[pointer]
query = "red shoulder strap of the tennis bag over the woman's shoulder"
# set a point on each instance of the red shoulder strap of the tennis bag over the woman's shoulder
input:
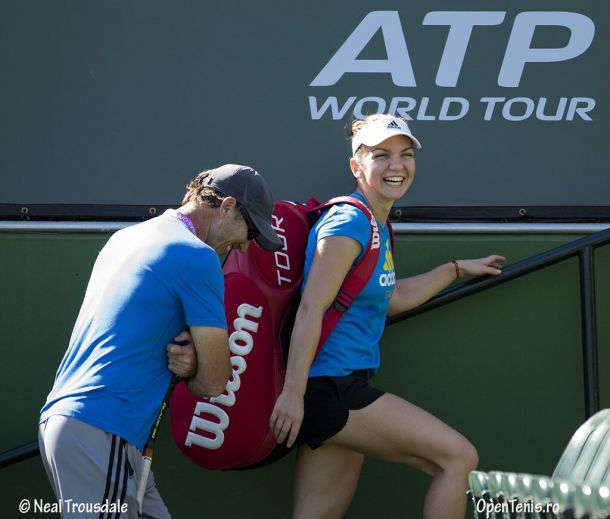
(358, 276)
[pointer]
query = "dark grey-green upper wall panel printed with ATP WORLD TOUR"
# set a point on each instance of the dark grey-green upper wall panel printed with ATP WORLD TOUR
(111, 102)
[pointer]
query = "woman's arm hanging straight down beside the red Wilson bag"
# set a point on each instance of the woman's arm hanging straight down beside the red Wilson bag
(333, 259)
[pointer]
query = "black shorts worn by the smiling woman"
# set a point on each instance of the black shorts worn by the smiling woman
(328, 401)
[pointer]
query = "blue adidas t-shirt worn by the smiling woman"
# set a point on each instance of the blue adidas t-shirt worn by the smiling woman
(354, 342)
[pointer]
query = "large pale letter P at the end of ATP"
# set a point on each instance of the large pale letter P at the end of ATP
(519, 52)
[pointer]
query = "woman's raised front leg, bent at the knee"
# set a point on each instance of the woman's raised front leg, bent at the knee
(395, 430)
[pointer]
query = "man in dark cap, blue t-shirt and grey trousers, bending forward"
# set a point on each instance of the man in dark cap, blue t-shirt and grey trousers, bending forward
(151, 282)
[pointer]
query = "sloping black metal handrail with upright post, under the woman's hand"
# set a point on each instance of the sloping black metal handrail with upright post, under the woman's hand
(582, 247)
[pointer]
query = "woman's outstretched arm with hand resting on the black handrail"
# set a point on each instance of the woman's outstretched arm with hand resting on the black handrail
(413, 291)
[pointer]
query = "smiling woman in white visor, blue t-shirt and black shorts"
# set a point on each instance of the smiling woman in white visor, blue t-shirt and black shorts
(327, 405)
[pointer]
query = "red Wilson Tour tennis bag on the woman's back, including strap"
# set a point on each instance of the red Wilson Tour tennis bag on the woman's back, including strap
(262, 291)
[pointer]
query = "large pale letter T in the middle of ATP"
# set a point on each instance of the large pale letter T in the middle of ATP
(461, 24)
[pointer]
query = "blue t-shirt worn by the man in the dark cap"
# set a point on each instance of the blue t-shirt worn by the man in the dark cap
(150, 282)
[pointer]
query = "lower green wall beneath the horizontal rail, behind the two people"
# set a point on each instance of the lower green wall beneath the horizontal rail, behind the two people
(504, 367)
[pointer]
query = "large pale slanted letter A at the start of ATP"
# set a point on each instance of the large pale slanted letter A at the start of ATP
(345, 59)
